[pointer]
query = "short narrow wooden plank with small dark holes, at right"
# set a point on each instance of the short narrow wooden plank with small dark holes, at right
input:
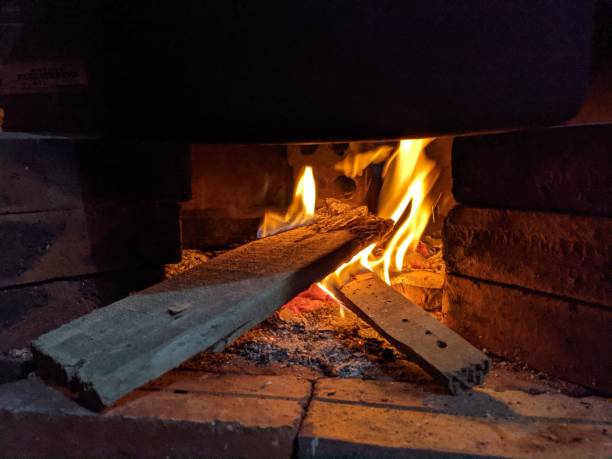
(440, 351)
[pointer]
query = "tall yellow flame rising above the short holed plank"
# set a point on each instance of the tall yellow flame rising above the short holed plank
(408, 176)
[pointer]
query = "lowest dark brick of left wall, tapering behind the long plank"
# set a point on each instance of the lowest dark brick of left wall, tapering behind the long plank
(28, 311)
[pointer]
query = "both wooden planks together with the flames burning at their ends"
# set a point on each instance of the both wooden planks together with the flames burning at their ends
(112, 351)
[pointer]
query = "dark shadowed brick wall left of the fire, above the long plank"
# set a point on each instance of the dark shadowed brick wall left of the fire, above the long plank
(83, 222)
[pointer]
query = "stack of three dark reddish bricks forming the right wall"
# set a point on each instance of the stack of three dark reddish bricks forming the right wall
(529, 250)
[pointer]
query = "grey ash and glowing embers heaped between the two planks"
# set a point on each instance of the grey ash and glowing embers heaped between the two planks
(325, 342)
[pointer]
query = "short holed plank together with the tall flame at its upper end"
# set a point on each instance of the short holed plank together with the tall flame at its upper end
(409, 176)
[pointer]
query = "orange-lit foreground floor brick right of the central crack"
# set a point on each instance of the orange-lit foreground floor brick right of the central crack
(383, 419)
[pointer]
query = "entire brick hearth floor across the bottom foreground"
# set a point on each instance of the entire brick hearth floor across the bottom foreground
(227, 414)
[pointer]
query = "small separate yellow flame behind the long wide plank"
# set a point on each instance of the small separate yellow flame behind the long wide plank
(300, 212)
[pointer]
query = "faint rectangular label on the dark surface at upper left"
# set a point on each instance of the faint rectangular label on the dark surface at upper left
(41, 77)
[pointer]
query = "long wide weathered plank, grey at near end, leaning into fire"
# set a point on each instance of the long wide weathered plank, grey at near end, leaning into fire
(114, 350)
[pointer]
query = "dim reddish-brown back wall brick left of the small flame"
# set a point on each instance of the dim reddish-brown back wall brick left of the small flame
(233, 185)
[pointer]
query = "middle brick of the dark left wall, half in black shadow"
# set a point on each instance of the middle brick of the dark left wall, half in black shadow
(48, 245)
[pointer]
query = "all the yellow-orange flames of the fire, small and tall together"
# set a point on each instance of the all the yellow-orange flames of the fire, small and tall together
(408, 176)
